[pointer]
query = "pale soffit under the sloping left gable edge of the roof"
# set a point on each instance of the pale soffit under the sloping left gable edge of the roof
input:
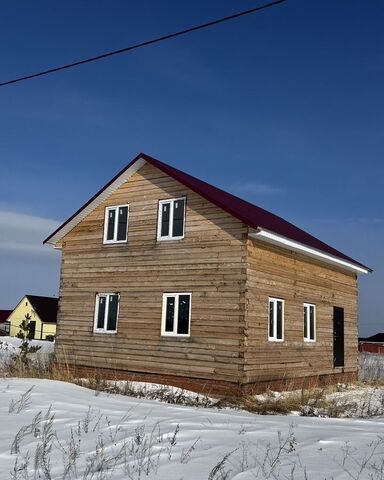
(103, 195)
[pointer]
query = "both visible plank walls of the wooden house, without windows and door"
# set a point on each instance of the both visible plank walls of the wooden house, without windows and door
(231, 278)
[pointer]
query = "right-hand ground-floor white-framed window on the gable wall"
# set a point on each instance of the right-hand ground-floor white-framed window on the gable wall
(176, 315)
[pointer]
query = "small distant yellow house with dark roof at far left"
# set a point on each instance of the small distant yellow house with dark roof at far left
(43, 312)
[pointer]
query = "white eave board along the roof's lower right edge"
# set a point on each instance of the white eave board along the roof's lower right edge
(279, 240)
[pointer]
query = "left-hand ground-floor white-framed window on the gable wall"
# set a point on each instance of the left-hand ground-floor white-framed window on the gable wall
(106, 312)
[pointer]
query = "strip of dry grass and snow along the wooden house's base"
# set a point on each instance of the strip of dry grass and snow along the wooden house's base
(313, 399)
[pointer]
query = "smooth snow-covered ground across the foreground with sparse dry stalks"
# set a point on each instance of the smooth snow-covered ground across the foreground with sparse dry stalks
(90, 435)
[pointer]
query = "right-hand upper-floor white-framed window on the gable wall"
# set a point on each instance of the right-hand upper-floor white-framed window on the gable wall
(171, 219)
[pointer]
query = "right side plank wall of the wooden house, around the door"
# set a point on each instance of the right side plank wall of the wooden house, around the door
(275, 272)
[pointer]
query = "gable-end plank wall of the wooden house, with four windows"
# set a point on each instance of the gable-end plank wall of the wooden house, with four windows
(210, 262)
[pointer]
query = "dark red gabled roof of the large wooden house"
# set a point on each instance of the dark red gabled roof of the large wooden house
(251, 215)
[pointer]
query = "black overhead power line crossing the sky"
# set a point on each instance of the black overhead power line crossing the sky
(145, 43)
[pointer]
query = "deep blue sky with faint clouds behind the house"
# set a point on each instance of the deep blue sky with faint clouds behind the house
(283, 108)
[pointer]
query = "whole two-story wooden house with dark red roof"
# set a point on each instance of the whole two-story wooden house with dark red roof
(169, 279)
